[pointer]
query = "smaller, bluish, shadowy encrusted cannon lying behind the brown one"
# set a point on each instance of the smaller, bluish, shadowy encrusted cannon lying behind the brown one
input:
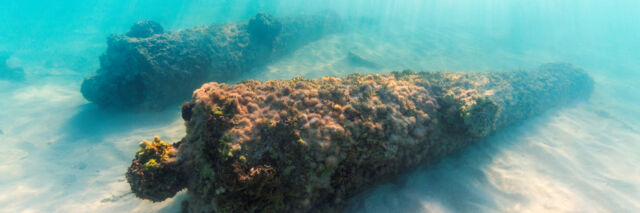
(148, 68)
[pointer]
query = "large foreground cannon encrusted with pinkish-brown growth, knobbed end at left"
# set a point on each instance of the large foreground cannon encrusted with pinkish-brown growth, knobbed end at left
(307, 145)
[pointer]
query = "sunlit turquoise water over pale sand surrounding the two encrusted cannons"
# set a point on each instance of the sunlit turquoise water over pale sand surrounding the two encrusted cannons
(63, 154)
